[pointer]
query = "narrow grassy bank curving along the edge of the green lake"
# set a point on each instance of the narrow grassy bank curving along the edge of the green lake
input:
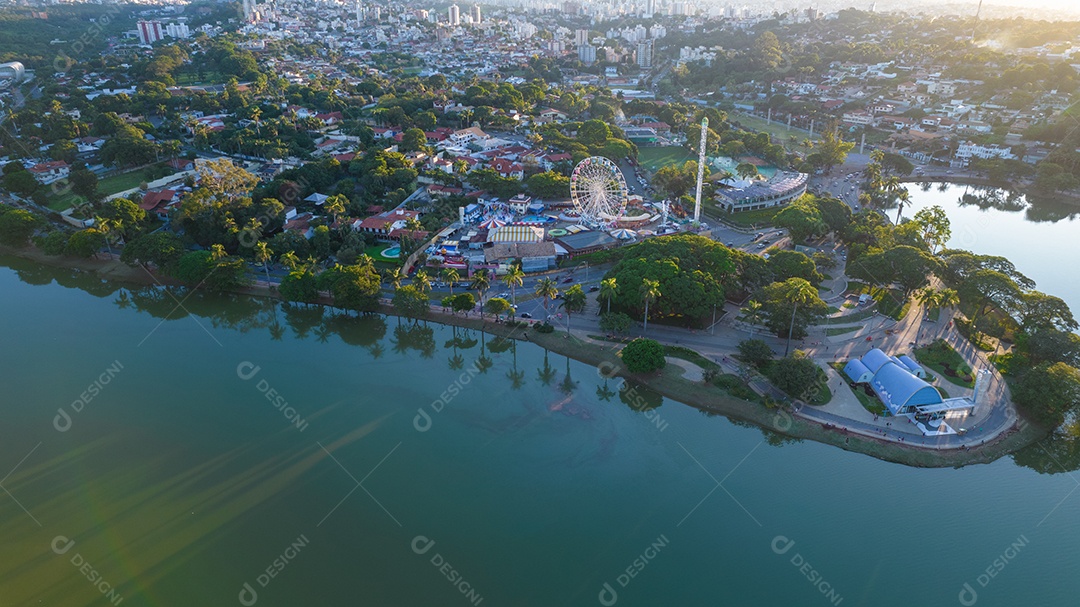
(669, 383)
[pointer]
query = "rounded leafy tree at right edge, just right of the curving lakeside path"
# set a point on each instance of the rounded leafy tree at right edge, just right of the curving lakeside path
(1049, 394)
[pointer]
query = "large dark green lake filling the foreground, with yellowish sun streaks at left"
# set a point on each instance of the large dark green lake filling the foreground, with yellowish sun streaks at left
(222, 451)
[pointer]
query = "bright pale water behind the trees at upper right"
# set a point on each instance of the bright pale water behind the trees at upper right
(1038, 238)
